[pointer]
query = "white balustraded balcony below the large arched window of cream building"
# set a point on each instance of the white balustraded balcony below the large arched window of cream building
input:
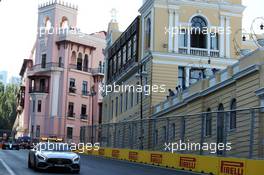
(199, 52)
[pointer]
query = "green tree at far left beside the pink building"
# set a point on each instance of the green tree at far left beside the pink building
(8, 113)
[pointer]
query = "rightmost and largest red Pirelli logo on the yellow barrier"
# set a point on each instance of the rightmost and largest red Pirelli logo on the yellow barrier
(232, 168)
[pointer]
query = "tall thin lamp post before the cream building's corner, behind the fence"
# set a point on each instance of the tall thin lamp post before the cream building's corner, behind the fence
(141, 74)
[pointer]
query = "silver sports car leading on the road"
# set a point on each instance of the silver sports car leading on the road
(53, 155)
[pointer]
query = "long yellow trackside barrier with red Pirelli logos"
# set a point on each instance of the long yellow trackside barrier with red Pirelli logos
(187, 162)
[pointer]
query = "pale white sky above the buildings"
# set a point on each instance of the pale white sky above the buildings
(18, 23)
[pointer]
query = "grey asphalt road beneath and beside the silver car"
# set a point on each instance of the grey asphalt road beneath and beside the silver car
(15, 163)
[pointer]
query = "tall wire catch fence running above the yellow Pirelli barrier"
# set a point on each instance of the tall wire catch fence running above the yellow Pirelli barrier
(236, 133)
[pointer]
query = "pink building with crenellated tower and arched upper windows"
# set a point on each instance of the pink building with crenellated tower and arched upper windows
(61, 87)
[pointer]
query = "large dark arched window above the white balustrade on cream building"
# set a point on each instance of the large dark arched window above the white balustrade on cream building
(198, 38)
